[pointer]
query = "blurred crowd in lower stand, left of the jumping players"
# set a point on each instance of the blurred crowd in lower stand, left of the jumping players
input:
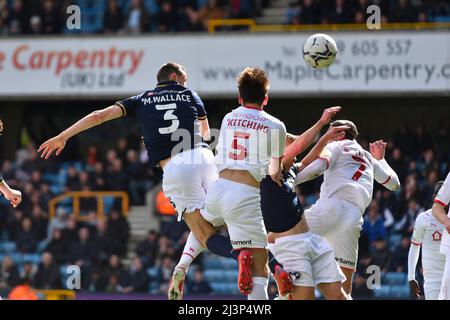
(96, 245)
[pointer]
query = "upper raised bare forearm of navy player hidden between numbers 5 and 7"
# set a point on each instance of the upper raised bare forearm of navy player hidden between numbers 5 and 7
(303, 141)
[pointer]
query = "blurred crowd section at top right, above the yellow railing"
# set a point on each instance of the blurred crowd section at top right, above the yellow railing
(354, 11)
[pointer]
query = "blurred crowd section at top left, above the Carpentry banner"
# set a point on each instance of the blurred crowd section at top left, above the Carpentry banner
(128, 16)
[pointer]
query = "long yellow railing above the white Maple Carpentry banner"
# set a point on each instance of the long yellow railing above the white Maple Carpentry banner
(253, 27)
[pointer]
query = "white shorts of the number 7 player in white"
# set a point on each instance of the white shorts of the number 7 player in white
(340, 223)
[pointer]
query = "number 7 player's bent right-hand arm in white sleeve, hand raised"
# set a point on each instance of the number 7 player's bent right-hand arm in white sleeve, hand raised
(383, 173)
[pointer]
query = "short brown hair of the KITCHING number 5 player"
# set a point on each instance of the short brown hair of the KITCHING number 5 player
(253, 85)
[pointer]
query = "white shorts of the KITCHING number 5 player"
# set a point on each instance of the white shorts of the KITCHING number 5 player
(239, 207)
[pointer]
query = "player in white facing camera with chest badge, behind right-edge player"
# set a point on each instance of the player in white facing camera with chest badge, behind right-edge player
(427, 233)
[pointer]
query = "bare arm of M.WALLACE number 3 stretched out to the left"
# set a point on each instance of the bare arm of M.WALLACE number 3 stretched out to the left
(93, 119)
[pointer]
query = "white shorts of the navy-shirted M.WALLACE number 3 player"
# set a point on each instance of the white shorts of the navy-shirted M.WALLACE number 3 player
(186, 178)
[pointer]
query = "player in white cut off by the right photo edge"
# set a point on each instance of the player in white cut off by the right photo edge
(440, 203)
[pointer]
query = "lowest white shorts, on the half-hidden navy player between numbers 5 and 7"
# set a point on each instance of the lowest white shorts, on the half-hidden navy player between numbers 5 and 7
(308, 258)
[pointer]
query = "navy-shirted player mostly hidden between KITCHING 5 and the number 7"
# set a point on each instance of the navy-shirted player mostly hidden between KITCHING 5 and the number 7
(307, 257)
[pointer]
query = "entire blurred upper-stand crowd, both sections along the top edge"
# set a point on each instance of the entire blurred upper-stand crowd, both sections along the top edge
(141, 16)
